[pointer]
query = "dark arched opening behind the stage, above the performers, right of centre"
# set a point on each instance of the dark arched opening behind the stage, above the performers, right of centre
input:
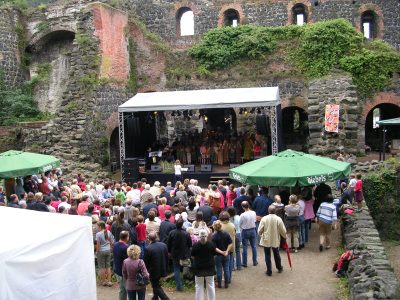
(220, 119)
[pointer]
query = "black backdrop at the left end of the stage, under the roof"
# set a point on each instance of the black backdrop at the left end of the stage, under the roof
(140, 134)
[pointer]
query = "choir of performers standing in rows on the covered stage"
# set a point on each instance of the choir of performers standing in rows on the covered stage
(211, 147)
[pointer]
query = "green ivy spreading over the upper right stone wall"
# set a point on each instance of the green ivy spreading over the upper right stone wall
(315, 50)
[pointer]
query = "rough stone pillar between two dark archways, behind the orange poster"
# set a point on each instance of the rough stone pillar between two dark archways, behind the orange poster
(333, 90)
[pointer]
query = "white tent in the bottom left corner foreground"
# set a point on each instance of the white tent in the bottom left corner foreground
(46, 256)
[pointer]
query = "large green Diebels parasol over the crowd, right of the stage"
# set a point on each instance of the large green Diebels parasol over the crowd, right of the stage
(290, 168)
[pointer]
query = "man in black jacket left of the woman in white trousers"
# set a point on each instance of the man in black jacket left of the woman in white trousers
(179, 244)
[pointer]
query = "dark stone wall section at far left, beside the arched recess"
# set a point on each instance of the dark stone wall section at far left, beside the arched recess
(10, 24)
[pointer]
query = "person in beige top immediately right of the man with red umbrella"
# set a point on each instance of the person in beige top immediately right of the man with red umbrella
(292, 212)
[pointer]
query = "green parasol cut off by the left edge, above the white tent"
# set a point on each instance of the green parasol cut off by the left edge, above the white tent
(17, 163)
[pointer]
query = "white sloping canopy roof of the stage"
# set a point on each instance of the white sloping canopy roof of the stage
(201, 99)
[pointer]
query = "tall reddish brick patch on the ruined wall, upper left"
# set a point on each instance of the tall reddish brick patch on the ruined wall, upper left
(110, 27)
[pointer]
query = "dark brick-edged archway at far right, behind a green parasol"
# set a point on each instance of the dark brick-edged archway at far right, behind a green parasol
(383, 111)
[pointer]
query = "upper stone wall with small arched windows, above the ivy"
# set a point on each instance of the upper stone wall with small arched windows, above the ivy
(160, 16)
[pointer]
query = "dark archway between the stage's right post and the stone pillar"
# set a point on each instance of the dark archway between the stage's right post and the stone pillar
(295, 128)
